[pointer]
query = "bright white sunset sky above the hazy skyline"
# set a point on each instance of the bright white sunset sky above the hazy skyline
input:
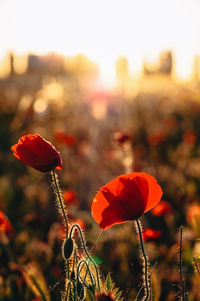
(103, 30)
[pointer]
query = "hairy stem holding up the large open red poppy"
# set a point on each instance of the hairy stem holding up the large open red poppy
(145, 262)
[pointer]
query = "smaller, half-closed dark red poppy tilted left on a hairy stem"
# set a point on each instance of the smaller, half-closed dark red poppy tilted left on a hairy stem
(38, 153)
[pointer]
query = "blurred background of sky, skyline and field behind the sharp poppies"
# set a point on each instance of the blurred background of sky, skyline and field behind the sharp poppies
(115, 86)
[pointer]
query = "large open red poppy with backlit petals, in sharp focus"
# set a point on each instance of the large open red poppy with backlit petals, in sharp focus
(125, 198)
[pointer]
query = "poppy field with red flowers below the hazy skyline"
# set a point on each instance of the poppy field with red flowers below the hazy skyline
(99, 189)
